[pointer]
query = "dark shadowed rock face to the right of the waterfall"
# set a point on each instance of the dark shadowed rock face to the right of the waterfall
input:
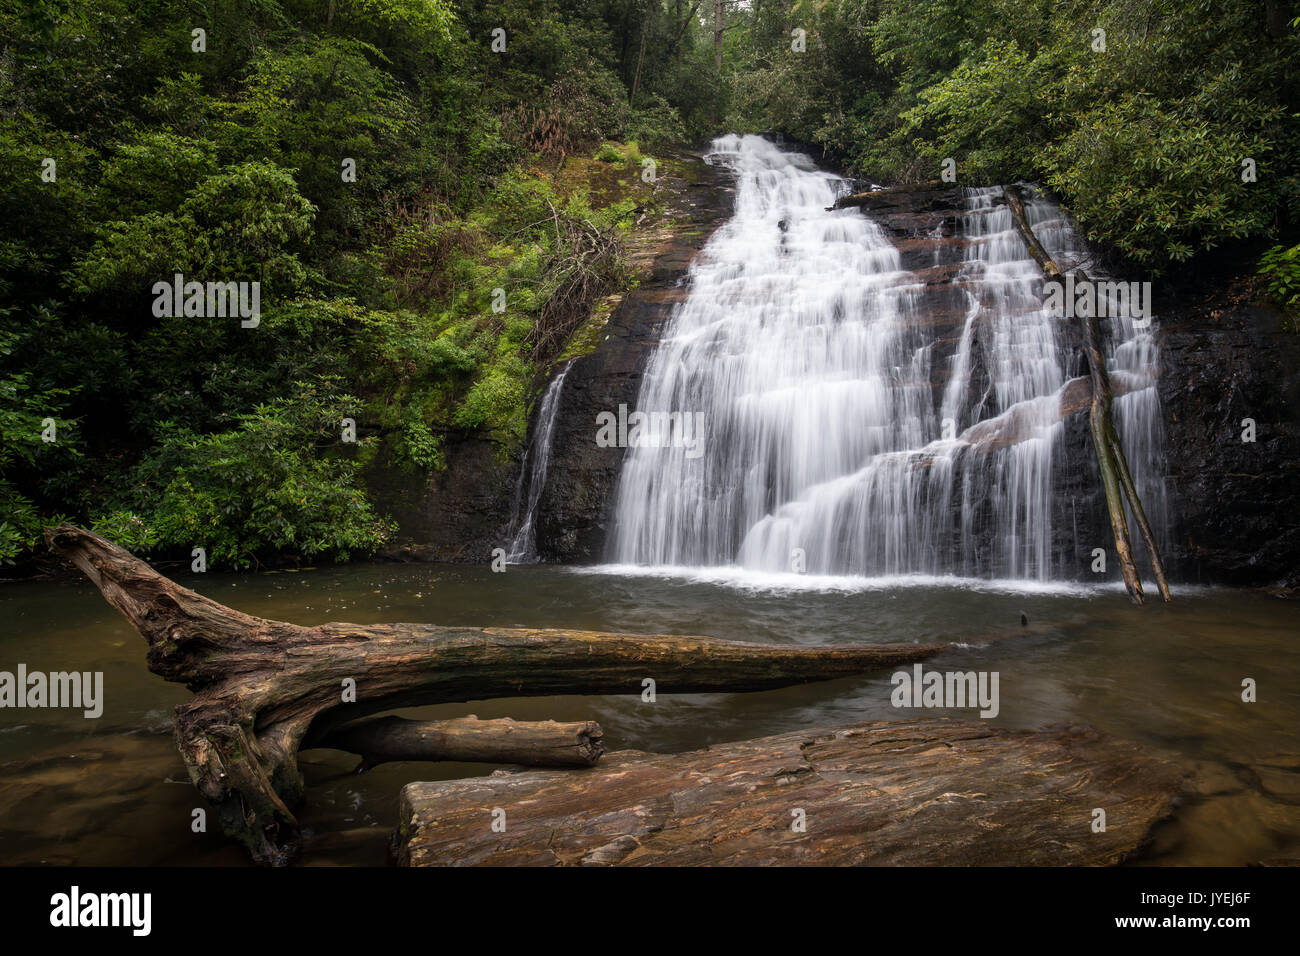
(1237, 504)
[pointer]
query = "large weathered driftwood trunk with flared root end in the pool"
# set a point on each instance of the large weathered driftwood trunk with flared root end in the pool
(266, 689)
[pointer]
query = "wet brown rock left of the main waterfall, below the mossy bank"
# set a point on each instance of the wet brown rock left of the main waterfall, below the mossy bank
(462, 513)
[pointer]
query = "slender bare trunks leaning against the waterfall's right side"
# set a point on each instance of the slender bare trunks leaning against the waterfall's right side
(1116, 478)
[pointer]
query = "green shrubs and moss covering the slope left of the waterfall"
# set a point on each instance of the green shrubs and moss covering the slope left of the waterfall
(389, 180)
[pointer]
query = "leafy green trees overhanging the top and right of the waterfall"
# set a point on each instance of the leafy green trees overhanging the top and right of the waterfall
(1138, 115)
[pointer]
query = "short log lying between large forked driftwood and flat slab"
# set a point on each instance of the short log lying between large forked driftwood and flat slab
(530, 743)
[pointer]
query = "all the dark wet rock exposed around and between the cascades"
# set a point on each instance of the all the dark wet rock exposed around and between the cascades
(1233, 507)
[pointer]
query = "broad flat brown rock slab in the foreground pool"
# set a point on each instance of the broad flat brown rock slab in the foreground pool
(933, 791)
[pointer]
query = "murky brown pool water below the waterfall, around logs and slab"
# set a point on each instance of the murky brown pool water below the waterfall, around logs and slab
(114, 790)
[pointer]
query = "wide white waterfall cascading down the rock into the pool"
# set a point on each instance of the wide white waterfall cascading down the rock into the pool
(844, 430)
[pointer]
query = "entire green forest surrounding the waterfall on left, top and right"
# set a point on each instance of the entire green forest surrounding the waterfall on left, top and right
(398, 178)
